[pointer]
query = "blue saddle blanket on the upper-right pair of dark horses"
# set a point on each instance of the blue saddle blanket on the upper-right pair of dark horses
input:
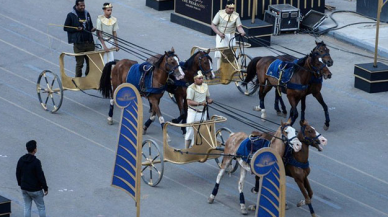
(274, 71)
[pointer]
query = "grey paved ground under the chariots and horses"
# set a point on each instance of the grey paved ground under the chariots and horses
(77, 147)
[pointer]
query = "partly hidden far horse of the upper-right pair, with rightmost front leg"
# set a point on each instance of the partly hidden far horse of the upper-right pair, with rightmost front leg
(315, 86)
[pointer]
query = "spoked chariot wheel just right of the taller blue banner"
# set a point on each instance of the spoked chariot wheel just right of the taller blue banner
(152, 163)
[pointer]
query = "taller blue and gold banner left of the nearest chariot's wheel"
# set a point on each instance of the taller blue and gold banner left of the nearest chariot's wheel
(126, 173)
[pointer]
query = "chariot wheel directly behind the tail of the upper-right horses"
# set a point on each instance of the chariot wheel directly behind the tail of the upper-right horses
(251, 87)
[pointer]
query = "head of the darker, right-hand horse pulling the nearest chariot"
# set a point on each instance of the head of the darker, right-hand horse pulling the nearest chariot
(312, 137)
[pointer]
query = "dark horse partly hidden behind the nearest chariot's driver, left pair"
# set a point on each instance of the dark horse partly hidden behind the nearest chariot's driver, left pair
(199, 61)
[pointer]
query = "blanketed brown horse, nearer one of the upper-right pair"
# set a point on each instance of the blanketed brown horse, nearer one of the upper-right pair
(298, 83)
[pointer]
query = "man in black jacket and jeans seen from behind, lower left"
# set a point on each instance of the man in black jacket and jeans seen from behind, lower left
(31, 180)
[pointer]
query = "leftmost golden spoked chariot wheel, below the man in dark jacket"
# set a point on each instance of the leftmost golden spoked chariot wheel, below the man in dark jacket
(50, 91)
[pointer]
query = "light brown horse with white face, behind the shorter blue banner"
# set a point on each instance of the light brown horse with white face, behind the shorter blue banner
(284, 136)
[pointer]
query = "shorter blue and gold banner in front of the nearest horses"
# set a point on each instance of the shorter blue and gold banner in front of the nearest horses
(271, 200)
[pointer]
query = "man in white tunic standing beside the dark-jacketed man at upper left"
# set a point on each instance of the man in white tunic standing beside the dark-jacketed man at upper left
(107, 36)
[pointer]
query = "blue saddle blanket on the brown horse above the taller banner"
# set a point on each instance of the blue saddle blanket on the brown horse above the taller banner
(135, 74)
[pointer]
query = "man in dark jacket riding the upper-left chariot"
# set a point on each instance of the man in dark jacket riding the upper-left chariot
(79, 28)
